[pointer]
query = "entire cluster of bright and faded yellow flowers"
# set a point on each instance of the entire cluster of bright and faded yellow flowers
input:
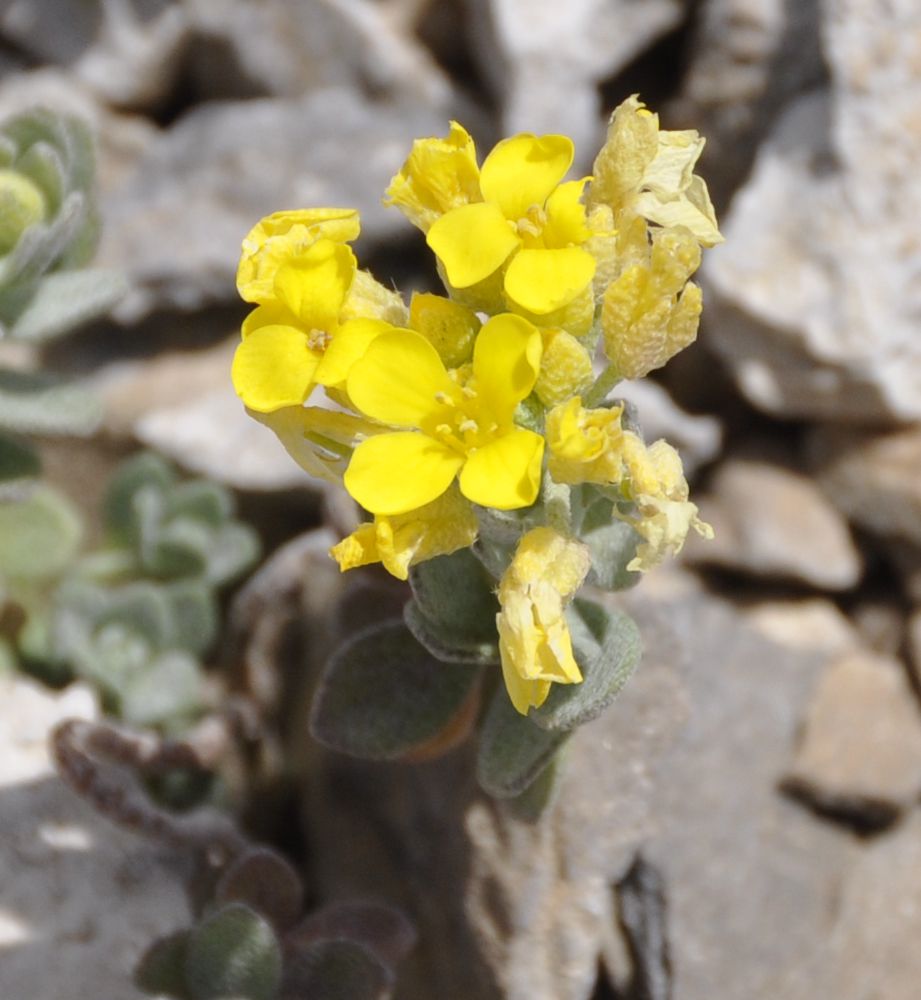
(439, 416)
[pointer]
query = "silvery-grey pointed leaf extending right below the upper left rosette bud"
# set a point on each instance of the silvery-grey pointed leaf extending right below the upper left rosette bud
(65, 300)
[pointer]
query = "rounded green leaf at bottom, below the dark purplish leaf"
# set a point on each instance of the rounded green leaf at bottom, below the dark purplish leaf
(233, 953)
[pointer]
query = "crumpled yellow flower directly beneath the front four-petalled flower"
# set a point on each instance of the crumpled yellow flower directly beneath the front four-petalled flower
(402, 540)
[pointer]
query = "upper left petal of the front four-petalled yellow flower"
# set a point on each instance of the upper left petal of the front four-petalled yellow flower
(397, 379)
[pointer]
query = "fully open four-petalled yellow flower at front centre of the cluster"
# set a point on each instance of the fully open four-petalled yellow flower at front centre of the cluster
(450, 428)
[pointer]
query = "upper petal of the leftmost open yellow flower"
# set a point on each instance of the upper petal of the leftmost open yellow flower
(314, 285)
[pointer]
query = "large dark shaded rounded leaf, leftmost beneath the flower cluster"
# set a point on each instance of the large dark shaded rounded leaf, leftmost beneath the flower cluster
(382, 694)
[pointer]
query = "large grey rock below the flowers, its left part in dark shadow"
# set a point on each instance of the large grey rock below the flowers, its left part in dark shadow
(683, 767)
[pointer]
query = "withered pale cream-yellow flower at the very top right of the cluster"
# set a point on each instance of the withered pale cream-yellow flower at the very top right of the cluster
(643, 171)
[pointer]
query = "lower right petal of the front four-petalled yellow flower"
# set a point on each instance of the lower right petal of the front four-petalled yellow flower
(505, 473)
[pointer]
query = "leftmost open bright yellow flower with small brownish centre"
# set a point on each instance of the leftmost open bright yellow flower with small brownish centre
(298, 339)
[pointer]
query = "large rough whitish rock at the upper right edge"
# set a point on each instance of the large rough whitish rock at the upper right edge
(816, 301)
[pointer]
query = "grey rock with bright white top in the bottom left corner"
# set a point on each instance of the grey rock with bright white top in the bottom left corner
(81, 899)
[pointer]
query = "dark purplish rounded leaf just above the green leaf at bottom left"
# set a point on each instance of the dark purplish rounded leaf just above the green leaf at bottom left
(266, 882)
